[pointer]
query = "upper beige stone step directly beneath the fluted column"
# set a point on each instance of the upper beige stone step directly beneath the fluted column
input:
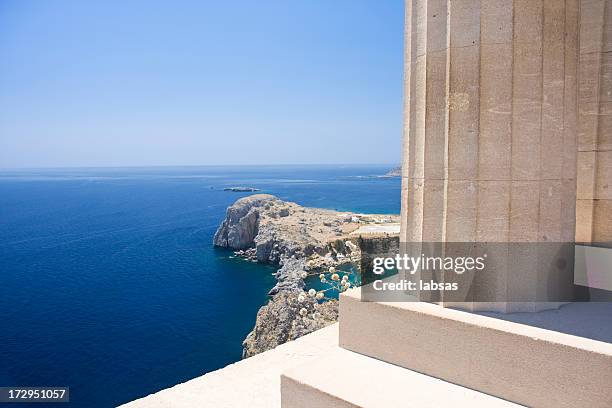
(528, 365)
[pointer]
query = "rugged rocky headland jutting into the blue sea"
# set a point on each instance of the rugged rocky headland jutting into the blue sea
(302, 241)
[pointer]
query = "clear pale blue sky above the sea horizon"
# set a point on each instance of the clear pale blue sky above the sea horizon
(114, 83)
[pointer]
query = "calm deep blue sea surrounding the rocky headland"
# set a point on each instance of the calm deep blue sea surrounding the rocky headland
(110, 284)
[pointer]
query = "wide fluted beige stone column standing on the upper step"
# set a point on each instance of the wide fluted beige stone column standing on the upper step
(490, 133)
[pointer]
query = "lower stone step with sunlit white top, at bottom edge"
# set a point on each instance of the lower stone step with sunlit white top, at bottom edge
(342, 379)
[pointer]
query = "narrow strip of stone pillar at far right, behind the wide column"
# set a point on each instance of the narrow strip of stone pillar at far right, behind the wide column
(594, 204)
